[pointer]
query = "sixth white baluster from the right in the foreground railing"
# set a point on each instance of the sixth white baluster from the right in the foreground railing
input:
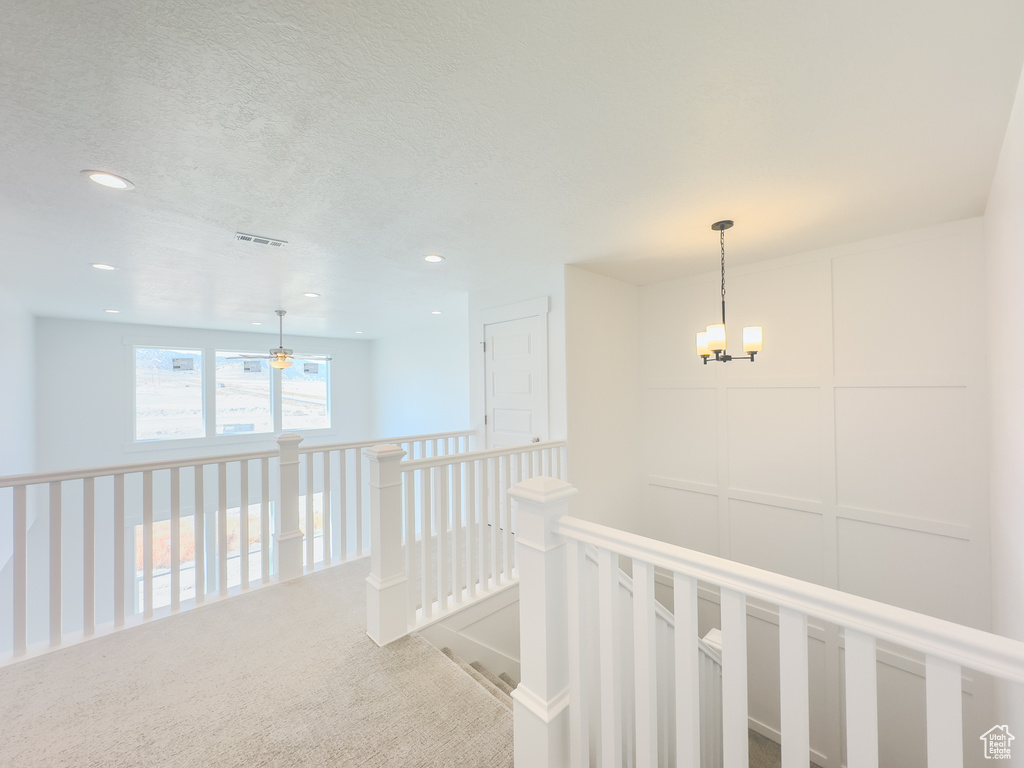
(646, 664)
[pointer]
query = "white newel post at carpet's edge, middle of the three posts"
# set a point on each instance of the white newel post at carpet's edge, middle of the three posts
(388, 617)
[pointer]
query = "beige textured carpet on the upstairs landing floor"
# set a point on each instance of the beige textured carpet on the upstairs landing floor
(284, 676)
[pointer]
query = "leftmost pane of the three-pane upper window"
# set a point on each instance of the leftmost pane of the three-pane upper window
(168, 395)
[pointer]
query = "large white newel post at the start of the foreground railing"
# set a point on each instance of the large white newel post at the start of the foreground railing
(541, 709)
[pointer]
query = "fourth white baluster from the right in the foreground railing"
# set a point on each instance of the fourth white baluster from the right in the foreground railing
(735, 718)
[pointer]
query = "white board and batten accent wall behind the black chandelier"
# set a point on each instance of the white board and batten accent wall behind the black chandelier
(852, 454)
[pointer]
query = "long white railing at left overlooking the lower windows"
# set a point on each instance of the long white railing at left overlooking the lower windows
(95, 550)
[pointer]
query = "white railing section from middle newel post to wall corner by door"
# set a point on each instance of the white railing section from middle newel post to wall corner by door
(447, 536)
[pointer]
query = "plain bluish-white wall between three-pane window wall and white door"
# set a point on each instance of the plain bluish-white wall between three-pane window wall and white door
(420, 379)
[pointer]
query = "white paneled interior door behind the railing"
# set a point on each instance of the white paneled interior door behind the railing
(516, 368)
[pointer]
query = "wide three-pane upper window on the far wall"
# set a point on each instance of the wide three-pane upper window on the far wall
(183, 394)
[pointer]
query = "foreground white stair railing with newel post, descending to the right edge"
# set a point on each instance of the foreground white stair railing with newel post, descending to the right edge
(553, 699)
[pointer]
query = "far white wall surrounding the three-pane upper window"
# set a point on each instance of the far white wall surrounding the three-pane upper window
(84, 391)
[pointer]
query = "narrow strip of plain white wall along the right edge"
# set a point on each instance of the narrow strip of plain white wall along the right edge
(1005, 253)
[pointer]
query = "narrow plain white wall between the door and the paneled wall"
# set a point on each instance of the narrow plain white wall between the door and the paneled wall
(603, 365)
